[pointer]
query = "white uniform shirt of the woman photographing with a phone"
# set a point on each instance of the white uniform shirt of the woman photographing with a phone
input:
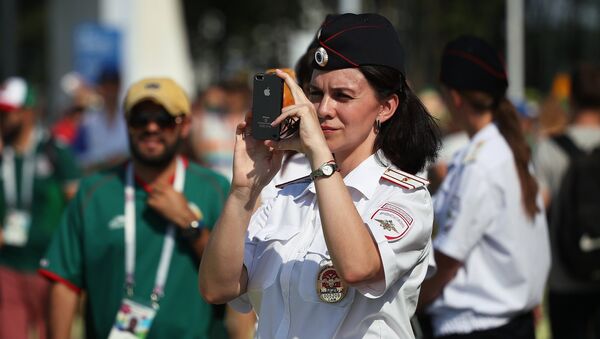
(285, 248)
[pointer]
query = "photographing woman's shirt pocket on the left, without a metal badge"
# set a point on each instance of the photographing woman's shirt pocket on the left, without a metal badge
(268, 259)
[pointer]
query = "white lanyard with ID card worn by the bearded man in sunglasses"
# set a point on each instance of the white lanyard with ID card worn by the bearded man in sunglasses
(135, 318)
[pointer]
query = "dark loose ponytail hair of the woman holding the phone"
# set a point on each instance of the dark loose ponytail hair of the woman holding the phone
(411, 137)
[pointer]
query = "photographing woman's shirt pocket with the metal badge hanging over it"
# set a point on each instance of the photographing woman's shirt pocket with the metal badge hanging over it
(316, 257)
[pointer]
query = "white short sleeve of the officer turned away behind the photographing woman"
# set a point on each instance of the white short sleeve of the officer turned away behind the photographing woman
(474, 207)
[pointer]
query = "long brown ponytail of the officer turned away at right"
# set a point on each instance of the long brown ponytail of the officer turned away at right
(507, 120)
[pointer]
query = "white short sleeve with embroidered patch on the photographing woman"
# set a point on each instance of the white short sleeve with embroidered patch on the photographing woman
(401, 228)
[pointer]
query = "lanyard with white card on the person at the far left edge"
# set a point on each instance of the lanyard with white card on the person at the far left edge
(17, 218)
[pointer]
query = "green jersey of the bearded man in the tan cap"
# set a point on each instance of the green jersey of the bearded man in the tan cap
(87, 253)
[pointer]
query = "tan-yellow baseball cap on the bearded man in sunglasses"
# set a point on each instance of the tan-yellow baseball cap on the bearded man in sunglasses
(163, 91)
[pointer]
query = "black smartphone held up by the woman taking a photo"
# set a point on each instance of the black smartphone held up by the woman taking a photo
(267, 101)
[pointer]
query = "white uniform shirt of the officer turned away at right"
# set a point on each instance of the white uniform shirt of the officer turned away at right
(483, 224)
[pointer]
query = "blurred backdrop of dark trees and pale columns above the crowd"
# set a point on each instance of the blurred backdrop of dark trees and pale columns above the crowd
(203, 42)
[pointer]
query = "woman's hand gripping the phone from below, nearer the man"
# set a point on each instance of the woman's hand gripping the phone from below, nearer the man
(254, 162)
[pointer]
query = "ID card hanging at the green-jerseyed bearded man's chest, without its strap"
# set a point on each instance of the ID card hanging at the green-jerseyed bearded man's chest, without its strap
(133, 321)
